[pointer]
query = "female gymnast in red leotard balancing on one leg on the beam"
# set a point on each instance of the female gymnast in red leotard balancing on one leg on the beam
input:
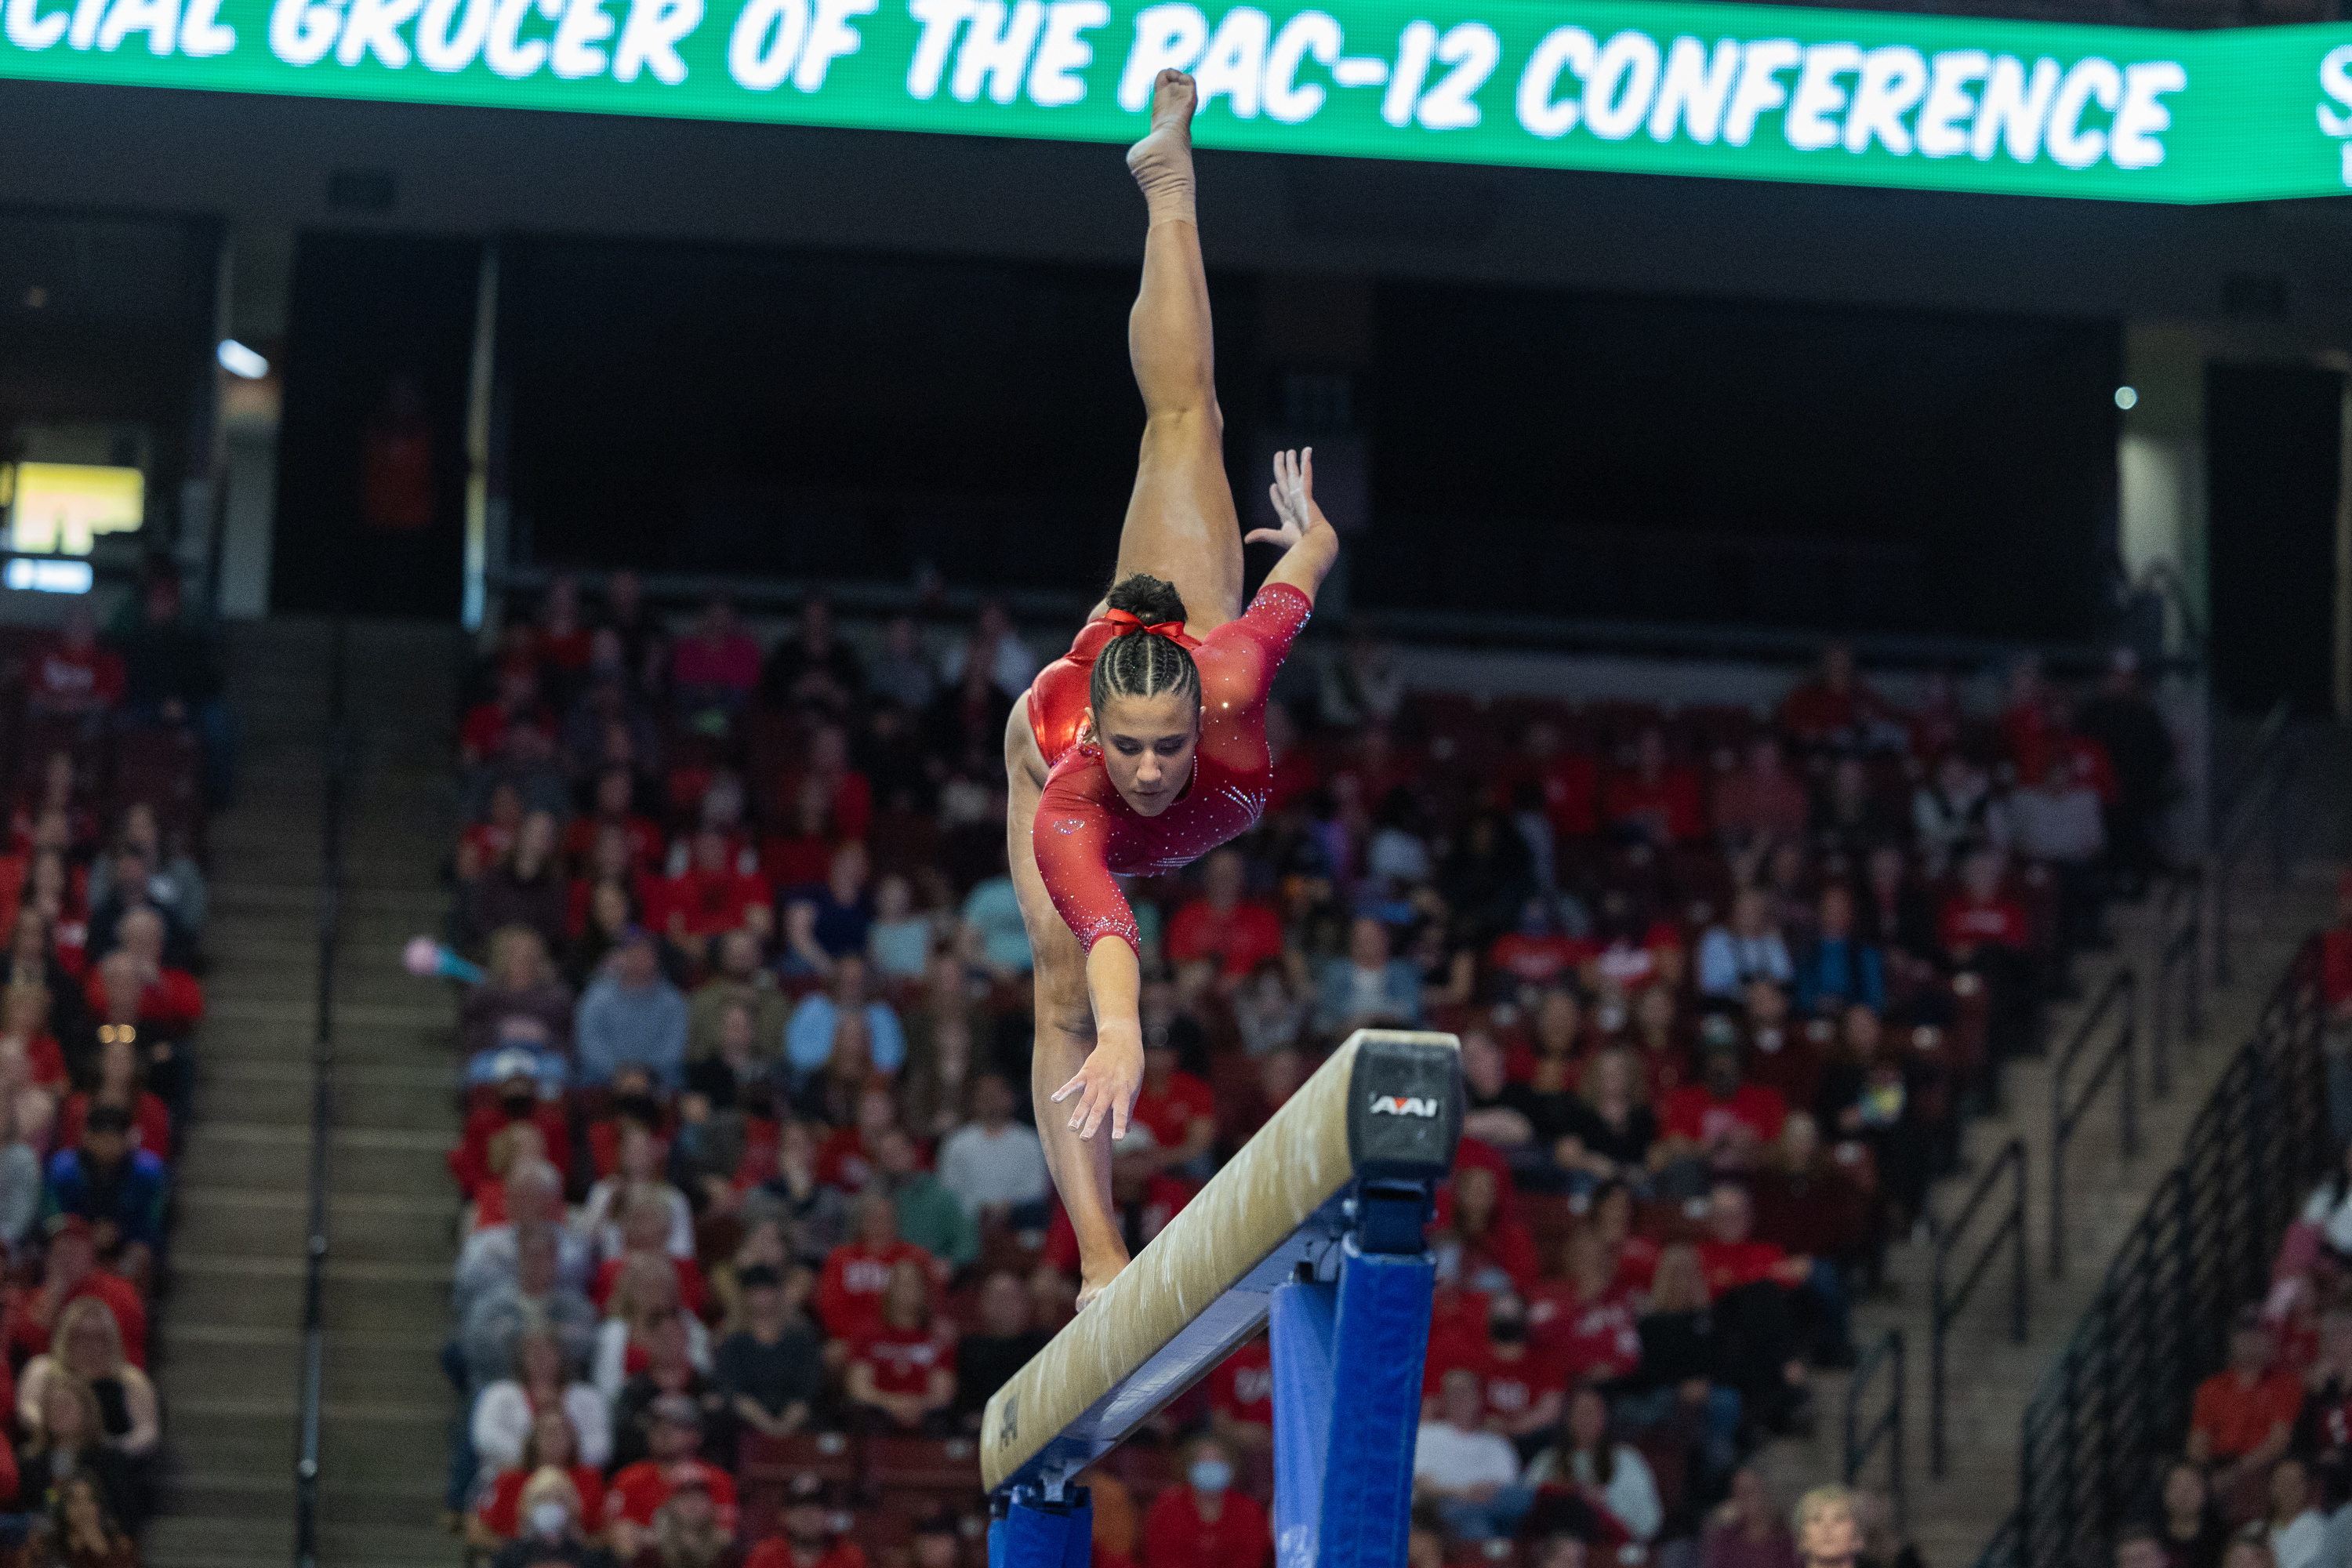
(1144, 746)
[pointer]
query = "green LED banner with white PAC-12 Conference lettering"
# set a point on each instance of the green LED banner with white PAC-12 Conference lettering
(1626, 86)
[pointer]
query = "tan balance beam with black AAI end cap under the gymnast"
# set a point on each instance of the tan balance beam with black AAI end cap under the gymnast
(1347, 1167)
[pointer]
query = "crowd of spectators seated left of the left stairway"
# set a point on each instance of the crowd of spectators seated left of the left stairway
(121, 746)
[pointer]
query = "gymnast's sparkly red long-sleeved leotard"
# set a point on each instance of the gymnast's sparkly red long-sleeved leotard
(1085, 833)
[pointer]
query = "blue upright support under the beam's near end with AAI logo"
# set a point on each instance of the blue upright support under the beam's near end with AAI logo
(1347, 1409)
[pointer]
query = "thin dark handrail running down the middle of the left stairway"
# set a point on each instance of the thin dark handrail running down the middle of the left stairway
(330, 930)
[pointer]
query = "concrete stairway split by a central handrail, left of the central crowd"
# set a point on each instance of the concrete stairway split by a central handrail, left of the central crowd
(232, 1327)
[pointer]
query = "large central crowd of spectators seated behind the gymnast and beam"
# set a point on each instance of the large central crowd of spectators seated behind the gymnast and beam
(756, 1217)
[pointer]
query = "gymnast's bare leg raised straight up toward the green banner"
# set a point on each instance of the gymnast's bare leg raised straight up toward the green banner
(1180, 523)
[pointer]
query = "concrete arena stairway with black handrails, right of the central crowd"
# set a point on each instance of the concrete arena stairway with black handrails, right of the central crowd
(1989, 1376)
